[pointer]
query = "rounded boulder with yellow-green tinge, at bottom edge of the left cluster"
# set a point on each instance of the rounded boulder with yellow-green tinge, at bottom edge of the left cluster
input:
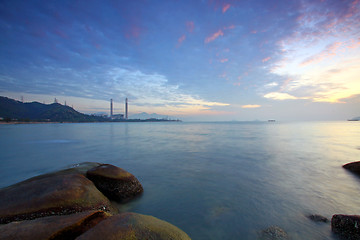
(134, 226)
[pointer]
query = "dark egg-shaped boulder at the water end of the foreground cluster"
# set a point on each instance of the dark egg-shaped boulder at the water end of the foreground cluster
(115, 182)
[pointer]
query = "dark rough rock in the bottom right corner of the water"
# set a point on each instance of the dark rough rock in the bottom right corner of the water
(347, 226)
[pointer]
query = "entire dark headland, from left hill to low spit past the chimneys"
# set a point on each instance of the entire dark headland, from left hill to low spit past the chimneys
(12, 111)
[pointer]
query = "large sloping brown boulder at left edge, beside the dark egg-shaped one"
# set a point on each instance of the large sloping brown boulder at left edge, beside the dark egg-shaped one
(50, 194)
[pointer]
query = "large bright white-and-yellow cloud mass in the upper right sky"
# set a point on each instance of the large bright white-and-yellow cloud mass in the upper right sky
(320, 60)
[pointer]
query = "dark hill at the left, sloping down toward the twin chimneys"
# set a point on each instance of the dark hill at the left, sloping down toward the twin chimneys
(11, 109)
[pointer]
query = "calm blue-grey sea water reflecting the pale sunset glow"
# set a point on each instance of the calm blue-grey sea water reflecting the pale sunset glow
(213, 180)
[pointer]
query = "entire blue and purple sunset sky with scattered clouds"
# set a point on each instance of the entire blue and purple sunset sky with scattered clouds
(197, 60)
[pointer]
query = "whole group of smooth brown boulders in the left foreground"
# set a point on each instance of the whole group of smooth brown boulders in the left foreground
(75, 204)
